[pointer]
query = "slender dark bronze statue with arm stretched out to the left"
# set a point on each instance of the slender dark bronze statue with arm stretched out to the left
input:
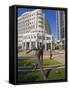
(39, 59)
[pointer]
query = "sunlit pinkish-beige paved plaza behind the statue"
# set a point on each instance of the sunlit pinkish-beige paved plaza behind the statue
(56, 55)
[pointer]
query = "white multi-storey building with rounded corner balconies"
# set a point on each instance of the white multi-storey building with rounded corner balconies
(32, 30)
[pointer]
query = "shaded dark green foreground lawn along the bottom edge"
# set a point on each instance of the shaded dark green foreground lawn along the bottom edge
(56, 74)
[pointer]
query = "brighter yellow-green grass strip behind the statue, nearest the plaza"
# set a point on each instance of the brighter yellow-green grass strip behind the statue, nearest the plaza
(32, 62)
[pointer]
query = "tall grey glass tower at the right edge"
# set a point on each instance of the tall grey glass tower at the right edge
(61, 27)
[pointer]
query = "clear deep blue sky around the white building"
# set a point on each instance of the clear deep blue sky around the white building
(51, 14)
